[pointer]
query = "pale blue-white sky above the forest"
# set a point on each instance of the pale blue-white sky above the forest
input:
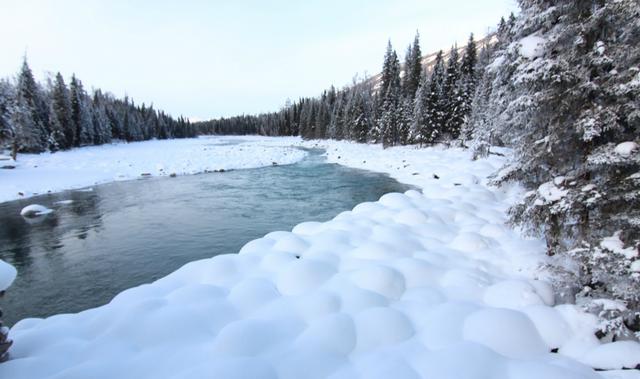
(209, 59)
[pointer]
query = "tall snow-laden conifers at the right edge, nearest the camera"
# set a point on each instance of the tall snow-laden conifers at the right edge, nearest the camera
(565, 93)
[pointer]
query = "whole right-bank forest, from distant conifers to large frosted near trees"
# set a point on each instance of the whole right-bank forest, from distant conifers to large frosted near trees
(559, 84)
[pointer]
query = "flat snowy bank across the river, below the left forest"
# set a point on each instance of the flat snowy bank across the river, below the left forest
(86, 166)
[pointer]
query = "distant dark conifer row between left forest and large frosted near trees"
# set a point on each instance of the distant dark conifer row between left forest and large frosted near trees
(406, 104)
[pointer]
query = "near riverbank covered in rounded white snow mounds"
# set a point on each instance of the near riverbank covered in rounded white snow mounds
(422, 284)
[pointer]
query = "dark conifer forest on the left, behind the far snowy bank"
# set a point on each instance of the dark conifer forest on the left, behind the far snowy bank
(56, 116)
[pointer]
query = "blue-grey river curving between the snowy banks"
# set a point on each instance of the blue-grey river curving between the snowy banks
(123, 234)
